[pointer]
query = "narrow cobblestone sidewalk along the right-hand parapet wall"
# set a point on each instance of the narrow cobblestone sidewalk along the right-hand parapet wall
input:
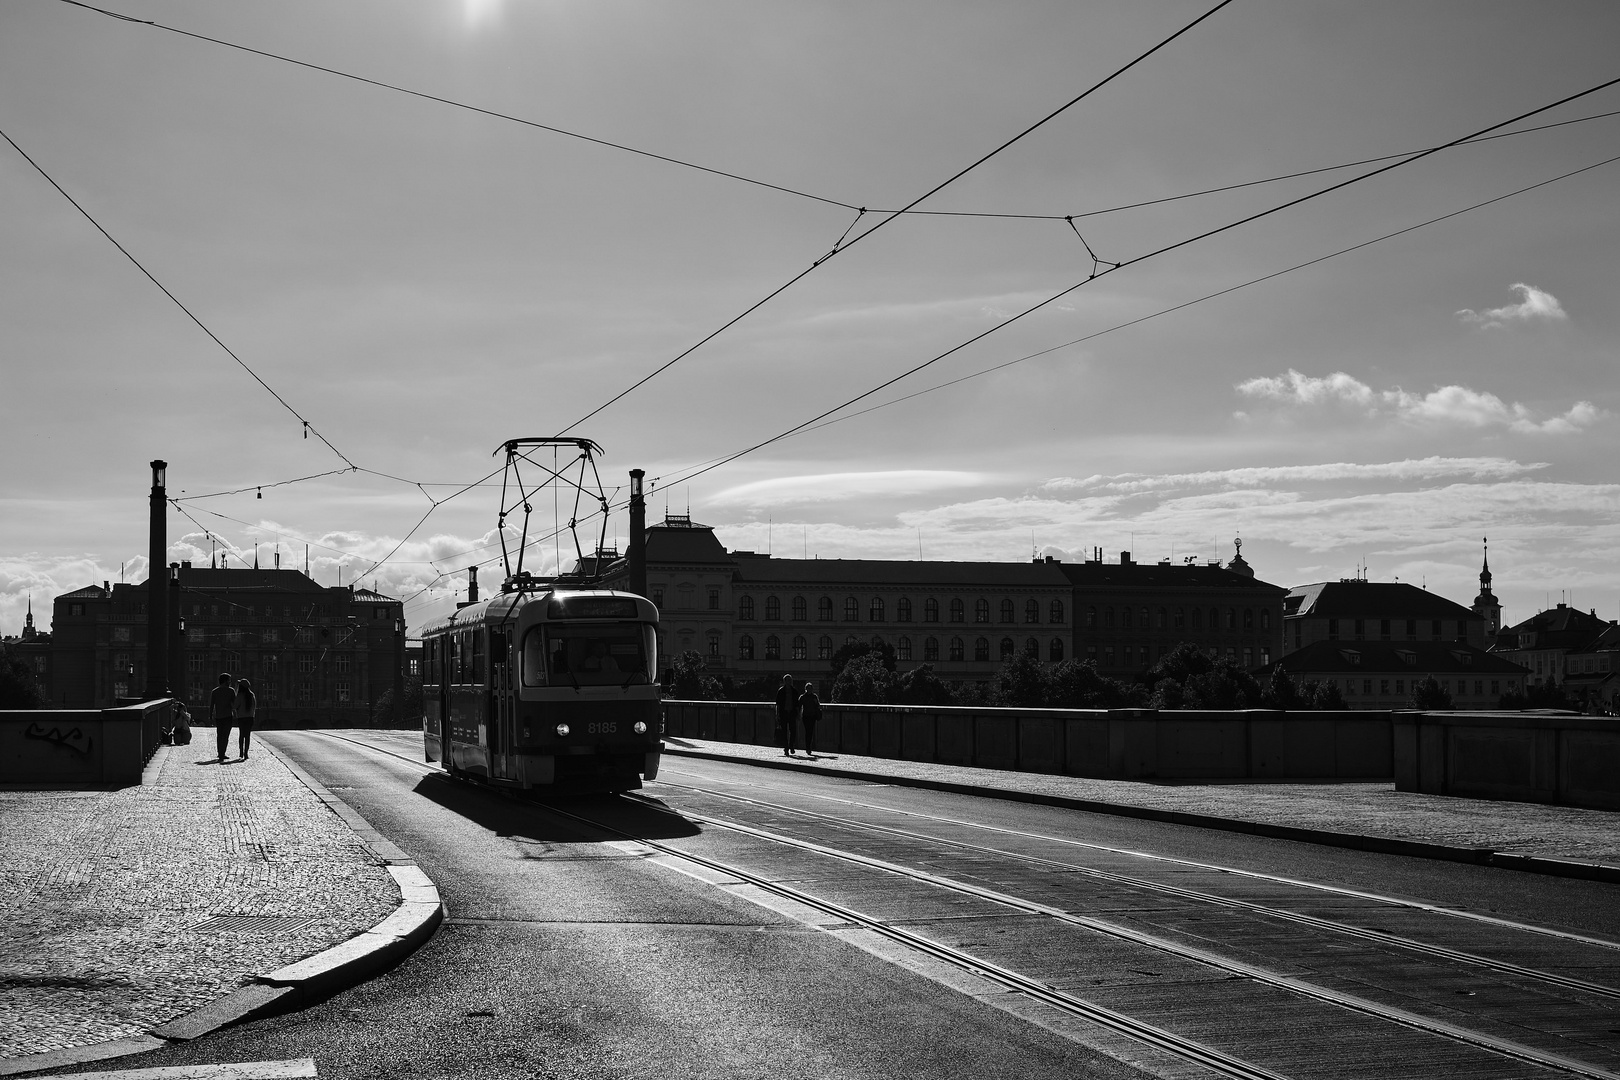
(1588, 836)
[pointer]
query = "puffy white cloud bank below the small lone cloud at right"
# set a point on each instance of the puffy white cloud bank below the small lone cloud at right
(1446, 406)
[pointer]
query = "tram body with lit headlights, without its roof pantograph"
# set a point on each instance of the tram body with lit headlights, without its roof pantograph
(545, 687)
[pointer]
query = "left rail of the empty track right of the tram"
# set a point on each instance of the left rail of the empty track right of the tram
(1379, 937)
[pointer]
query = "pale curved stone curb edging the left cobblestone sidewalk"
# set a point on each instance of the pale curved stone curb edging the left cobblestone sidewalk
(297, 985)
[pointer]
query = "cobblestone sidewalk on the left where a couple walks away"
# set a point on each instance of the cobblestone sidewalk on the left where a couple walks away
(106, 898)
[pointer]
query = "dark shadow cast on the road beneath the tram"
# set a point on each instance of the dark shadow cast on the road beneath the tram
(556, 819)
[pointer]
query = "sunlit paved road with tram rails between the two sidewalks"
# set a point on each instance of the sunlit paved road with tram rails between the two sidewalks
(573, 953)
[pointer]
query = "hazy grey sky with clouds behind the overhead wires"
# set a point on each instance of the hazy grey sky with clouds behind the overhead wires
(424, 283)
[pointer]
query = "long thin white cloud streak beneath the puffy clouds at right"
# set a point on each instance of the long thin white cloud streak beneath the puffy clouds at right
(1255, 477)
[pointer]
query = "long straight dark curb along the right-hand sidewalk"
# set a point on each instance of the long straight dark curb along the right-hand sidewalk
(1357, 841)
